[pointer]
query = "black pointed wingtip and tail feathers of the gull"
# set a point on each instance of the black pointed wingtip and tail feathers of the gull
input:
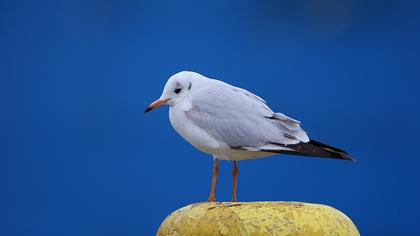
(315, 149)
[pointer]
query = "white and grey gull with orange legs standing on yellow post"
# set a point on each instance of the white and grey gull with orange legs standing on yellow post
(231, 123)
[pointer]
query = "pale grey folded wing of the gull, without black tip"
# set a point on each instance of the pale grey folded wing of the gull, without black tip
(243, 120)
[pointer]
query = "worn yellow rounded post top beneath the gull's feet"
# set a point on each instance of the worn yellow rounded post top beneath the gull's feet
(257, 218)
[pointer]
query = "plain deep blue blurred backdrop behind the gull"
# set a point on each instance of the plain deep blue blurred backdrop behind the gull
(79, 157)
